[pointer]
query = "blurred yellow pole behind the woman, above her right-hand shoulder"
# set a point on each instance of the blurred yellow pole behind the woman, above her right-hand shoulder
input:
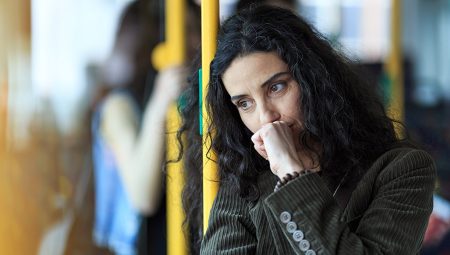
(394, 65)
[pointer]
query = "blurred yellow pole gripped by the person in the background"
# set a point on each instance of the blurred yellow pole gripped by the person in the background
(172, 52)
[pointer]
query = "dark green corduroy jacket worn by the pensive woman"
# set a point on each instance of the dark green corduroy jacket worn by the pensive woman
(385, 213)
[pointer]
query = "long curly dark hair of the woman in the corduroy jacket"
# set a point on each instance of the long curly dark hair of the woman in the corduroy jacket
(342, 111)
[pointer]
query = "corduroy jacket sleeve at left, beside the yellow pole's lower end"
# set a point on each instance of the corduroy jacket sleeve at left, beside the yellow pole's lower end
(230, 230)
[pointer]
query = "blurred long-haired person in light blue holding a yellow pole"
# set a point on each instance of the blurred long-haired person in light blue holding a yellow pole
(128, 132)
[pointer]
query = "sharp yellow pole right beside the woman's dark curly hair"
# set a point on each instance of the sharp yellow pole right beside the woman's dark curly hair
(210, 25)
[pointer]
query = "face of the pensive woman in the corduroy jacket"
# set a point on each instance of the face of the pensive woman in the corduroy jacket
(263, 90)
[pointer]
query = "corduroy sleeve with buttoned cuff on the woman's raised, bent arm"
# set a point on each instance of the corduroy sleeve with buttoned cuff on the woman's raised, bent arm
(399, 202)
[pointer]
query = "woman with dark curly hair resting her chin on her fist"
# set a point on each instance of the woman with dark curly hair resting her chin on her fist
(309, 162)
